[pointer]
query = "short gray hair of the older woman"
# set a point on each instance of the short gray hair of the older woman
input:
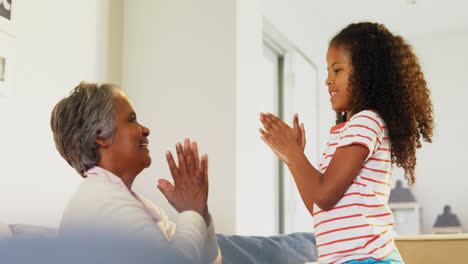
(78, 120)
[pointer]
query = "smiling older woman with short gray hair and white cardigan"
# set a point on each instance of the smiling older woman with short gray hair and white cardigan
(96, 131)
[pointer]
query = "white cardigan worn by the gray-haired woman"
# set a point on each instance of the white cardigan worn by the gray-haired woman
(99, 206)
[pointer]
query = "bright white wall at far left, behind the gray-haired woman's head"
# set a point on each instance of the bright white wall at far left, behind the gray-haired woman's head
(57, 44)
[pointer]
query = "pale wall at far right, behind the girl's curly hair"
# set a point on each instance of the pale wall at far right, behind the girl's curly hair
(441, 176)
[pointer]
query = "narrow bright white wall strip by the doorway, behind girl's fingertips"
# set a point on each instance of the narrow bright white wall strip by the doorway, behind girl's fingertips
(255, 180)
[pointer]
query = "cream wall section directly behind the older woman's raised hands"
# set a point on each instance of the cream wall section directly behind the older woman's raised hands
(179, 71)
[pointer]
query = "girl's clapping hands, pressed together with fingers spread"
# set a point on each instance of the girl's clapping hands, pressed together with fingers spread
(281, 138)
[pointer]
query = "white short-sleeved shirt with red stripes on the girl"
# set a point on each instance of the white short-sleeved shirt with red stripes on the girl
(360, 225)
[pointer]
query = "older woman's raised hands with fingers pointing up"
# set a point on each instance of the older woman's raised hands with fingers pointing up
(190, 189)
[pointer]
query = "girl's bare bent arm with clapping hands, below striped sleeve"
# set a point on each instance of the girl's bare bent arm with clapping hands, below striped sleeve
(314, 187)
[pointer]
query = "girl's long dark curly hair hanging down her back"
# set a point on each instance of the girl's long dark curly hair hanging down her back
(387, 77)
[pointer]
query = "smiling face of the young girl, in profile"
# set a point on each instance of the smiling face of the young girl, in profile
(339, 70)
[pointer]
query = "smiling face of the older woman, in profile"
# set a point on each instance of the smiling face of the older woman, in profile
(129, 147)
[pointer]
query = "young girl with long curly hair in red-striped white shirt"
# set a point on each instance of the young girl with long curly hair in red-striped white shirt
(383, 109)
